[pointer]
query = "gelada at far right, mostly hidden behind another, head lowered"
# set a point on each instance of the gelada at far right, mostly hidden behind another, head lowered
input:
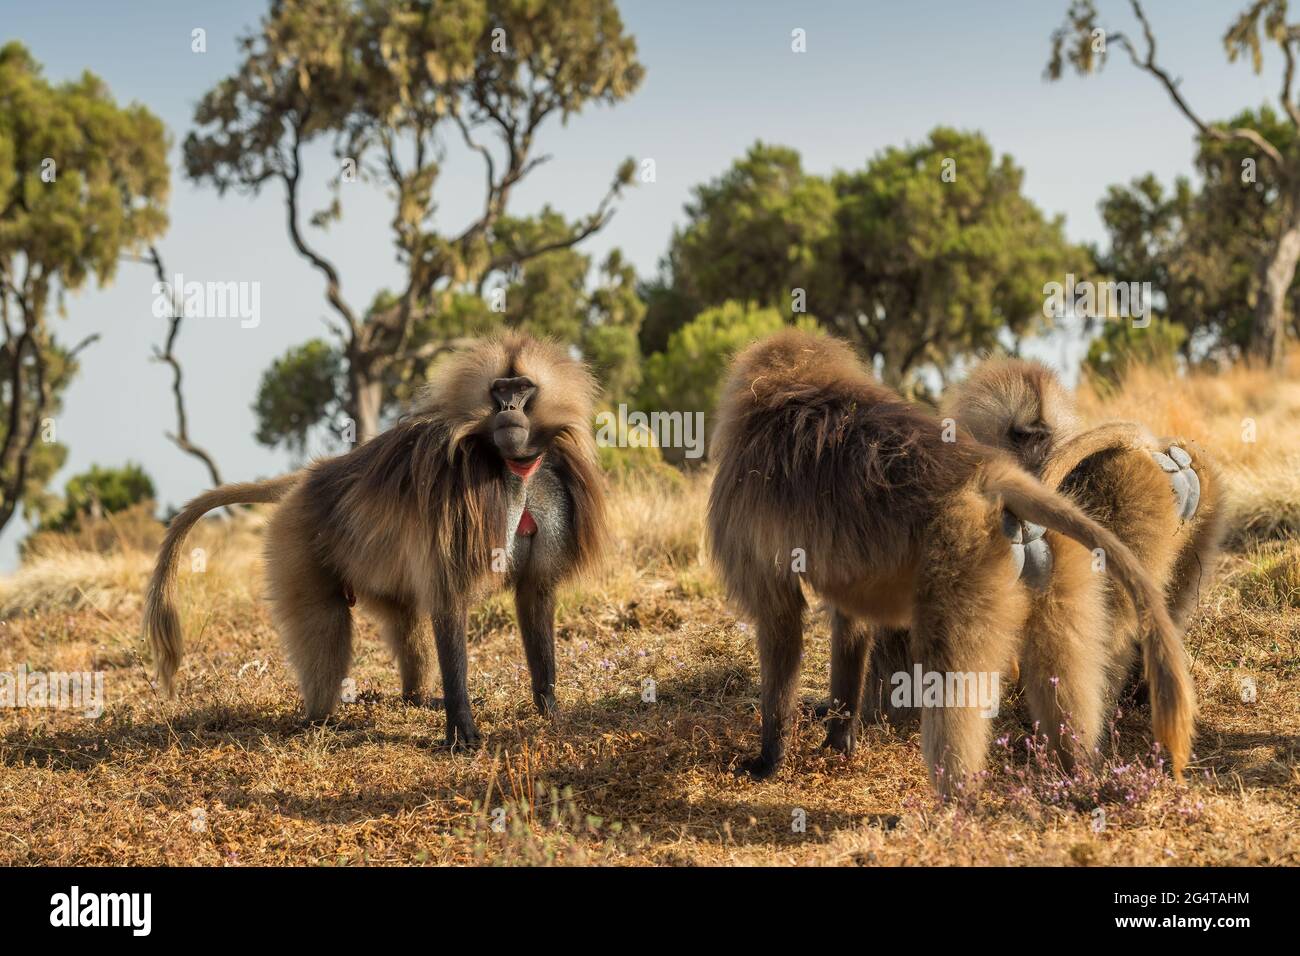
(1163, 498)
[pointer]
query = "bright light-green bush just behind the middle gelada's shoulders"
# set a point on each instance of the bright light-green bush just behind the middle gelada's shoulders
(690, 374)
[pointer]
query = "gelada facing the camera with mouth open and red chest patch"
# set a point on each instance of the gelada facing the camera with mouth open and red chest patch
(491, 481)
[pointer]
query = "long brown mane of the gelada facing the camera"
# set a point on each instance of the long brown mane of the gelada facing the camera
(439, 469)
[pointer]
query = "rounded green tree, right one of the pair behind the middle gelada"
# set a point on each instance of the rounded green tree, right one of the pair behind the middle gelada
(941, 254)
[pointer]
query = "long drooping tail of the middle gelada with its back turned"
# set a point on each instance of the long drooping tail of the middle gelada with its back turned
(1173, 700)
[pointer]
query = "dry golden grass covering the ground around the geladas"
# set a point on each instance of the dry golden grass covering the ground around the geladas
(228, 775)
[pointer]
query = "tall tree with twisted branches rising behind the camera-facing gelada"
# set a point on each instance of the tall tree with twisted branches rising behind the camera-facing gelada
(388, 84)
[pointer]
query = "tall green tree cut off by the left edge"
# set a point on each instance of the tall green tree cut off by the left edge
(83, 180)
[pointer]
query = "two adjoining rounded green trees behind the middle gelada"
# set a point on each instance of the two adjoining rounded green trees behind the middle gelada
(929, 253)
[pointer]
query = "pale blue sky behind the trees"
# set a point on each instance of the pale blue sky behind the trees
(721, 75)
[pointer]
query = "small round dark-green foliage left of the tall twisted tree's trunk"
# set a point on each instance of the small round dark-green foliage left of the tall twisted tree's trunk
(300, 392)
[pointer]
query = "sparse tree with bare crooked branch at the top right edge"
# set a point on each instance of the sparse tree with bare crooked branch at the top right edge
(1084, 44)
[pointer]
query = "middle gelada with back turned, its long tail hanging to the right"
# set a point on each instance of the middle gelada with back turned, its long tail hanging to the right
(896, 527)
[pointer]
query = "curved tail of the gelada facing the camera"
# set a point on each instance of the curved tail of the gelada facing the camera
(162, 624)
